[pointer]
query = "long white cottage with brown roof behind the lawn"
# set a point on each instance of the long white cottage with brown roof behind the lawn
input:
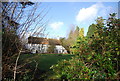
(41, 45)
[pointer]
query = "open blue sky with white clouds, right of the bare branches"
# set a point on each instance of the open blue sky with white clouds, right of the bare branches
(64, 15)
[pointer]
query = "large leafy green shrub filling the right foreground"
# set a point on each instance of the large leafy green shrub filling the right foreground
(96, 57)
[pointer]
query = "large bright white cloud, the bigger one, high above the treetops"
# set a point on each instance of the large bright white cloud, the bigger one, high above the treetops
(88, 13)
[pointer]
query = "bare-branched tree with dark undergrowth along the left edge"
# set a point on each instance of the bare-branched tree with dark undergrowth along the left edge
(15, 24)
